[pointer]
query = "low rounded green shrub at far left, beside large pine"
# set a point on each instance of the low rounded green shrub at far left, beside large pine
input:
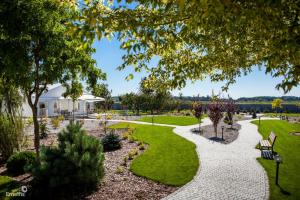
(16, 163)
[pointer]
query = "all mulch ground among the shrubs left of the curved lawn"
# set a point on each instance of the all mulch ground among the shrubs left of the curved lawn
(115, 185)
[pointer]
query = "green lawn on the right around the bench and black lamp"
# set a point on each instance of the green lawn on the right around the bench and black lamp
(288, 147)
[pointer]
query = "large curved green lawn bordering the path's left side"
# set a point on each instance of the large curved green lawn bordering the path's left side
(169, 158)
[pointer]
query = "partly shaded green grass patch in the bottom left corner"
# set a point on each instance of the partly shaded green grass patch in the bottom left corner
(7, 184)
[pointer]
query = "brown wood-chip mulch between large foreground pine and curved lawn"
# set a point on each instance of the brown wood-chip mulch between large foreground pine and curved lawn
(126, 185)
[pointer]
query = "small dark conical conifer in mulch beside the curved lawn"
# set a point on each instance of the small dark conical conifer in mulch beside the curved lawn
(111, 141)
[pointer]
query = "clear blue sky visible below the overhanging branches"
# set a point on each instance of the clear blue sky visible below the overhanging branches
(109, 56)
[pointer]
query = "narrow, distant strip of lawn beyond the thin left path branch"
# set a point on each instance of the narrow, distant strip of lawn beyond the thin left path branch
(173, 120)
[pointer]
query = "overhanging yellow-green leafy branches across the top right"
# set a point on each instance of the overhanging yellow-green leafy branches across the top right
(198, 39)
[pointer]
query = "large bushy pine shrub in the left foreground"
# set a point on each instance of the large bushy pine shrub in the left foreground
(76, 164)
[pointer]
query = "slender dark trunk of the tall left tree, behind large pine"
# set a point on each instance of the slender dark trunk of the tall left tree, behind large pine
(36, 132)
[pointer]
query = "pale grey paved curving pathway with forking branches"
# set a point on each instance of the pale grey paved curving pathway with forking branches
(227, 171)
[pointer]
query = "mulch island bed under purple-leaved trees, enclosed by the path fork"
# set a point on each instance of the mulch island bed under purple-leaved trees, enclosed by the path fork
(229, 134)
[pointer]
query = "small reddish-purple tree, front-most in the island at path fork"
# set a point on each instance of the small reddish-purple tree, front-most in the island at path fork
(215, 113)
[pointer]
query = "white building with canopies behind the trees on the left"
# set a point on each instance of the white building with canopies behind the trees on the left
(52, 103)
